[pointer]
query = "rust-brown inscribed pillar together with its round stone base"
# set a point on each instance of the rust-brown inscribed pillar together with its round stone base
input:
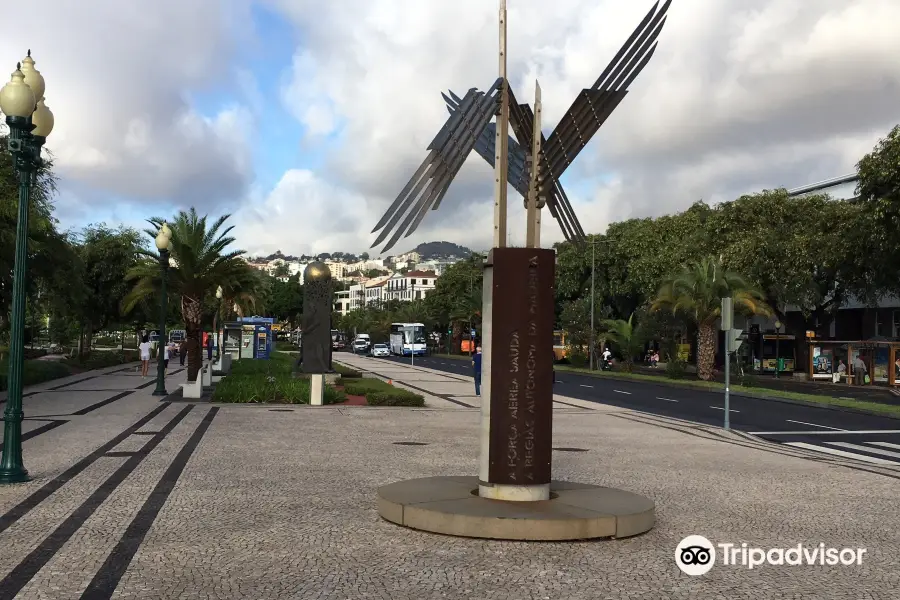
(513, 496)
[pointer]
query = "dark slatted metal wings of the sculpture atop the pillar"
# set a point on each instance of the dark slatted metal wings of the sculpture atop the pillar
(469, 127)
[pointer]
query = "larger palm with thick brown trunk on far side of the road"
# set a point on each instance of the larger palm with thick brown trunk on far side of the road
(697, 292)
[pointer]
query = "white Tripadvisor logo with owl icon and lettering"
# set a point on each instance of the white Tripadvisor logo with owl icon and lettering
(696, 555)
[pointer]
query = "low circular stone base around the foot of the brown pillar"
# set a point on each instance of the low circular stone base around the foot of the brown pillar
(576, 511)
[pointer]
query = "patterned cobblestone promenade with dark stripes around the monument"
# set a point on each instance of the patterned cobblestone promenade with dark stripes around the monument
(141, 499)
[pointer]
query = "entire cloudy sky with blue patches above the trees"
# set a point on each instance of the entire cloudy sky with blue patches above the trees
(303, 119)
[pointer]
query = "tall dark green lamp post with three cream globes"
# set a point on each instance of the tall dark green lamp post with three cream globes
(30, 122)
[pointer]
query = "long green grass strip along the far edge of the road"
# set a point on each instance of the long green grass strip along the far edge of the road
(753, 391)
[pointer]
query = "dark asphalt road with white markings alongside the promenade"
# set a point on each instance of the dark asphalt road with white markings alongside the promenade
(868, 438)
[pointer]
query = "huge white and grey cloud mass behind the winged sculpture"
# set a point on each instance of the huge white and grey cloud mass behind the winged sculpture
(739, 96)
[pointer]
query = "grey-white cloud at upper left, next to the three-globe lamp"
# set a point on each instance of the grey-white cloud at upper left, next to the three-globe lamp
(119, 76)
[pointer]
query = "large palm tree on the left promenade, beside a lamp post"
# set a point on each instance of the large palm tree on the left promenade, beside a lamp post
(201, 262)
